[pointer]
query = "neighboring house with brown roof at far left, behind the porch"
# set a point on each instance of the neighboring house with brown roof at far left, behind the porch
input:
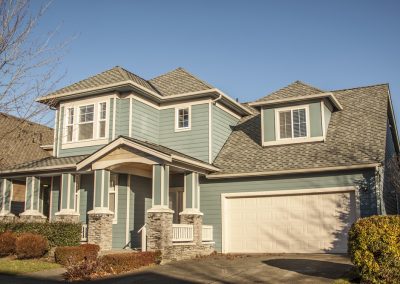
(22, 141)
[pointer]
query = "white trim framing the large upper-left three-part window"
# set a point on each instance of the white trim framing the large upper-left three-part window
(96, 140)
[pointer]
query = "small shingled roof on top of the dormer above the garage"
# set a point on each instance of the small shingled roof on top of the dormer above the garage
(295, 89)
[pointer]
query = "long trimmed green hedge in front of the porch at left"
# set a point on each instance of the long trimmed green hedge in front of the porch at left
(57, 233)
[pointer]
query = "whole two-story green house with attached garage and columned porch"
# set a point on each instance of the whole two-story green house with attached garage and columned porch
(173, 163)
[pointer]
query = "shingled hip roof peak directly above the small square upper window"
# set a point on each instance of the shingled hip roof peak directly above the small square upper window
(179, 81)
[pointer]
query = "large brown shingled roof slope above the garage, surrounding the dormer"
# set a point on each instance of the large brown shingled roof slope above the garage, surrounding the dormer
(356, 135)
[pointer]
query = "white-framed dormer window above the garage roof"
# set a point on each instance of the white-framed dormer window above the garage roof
(292, 123)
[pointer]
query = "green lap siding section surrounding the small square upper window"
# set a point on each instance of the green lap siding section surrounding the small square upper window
(193, 142)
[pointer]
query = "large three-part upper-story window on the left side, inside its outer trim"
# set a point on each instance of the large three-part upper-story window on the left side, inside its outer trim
(86, 122)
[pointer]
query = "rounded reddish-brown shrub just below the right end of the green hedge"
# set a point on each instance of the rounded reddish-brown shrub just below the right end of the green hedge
(73, 255)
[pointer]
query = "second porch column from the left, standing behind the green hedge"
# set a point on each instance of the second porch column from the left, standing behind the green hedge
(32, 200)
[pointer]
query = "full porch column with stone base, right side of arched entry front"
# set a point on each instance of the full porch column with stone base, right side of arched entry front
(159, 217)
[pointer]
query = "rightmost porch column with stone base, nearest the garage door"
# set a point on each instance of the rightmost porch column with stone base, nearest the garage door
(191, 213)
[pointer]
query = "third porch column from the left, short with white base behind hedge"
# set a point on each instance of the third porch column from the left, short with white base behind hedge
(67, 211)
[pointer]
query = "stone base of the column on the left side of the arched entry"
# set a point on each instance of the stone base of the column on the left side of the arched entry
(100, 228)
